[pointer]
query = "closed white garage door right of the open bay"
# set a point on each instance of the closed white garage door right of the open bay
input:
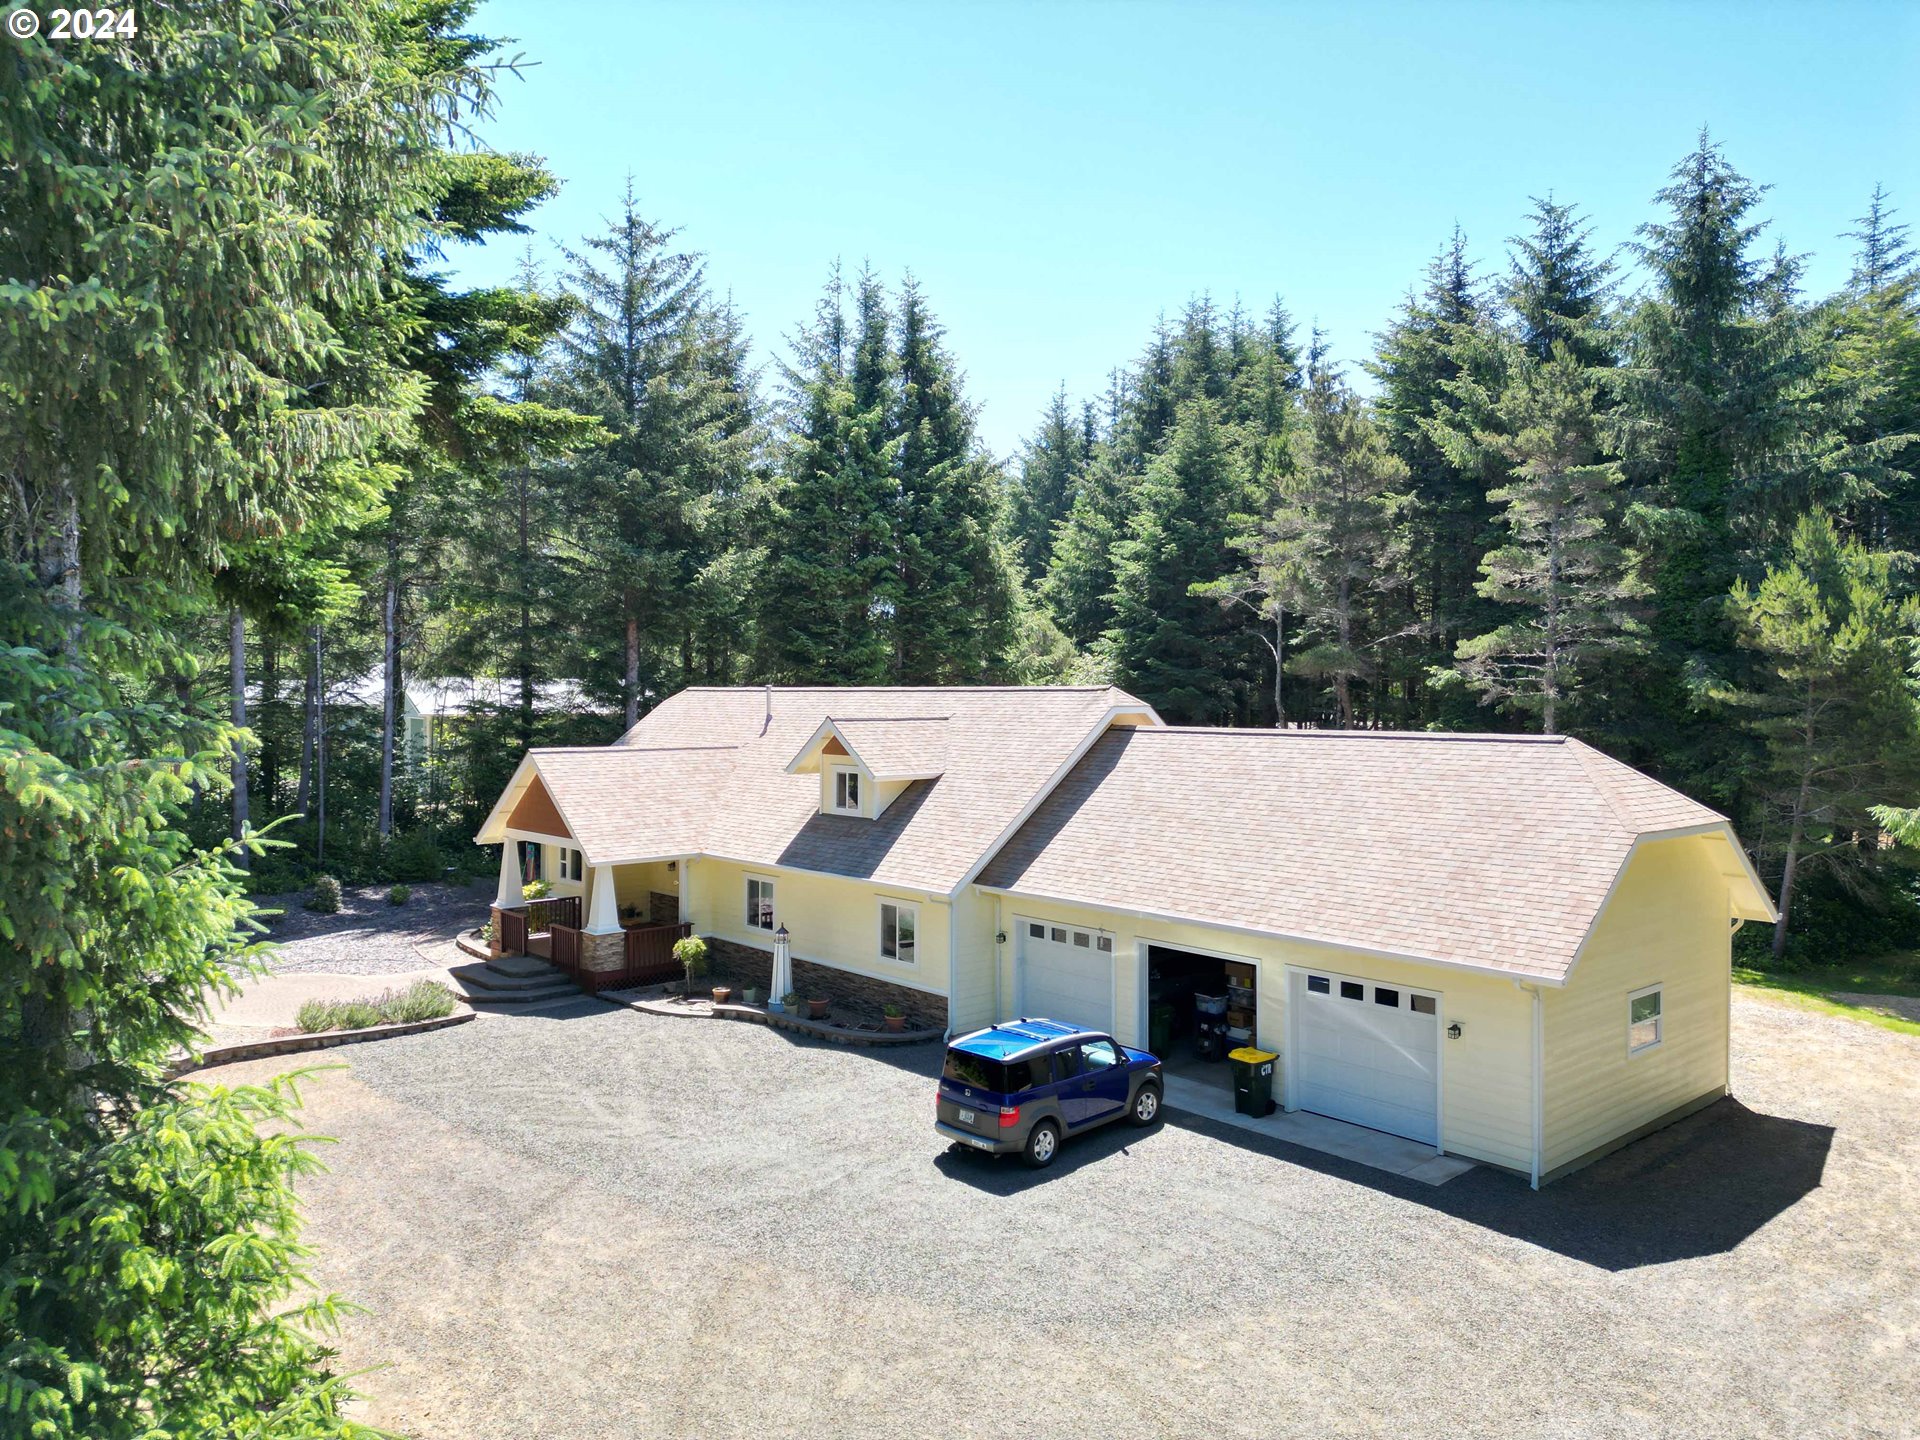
(1368, 1053)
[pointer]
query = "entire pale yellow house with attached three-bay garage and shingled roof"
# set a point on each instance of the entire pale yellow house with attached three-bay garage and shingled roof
(1508, 948)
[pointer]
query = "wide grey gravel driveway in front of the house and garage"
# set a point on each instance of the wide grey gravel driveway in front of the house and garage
(600, 1222)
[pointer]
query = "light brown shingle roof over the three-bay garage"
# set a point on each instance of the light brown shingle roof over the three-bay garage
(1474, 850)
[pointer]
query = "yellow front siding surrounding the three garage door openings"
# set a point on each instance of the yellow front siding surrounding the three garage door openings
(1485, 1076)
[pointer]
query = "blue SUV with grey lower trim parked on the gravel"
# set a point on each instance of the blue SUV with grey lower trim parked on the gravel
(1026, 1086)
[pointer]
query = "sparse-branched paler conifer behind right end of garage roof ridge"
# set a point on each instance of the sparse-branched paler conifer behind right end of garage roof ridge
(1560, 565)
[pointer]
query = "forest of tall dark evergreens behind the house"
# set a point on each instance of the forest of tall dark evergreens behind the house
(1650, 494)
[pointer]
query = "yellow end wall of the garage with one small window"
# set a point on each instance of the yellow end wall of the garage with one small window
(1668, 924)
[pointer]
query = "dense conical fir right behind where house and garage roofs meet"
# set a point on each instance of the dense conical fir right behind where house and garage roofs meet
(1166, 644)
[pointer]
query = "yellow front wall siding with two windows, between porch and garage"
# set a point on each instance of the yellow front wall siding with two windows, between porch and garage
(832, 921)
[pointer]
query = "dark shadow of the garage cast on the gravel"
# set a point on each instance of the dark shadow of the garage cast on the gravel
(1694, 1189)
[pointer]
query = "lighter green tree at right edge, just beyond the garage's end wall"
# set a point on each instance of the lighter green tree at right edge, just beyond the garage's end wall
(1831, 702)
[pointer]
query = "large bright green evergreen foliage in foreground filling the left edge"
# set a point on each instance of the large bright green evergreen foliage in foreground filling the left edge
(178, 379)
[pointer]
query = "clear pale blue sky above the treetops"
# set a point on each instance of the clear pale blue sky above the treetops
(1061, 174)
